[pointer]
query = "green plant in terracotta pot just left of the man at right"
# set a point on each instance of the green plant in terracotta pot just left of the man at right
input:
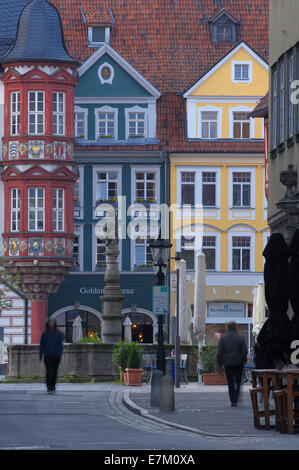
(211, 373)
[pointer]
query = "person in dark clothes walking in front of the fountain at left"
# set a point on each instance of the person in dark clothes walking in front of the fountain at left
(51, 348)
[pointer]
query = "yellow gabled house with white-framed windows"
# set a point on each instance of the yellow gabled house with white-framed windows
(221, 180)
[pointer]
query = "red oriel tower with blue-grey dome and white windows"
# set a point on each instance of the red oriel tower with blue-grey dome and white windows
(39, 77)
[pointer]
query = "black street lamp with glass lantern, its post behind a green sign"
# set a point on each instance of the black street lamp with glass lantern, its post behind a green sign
(160, 252)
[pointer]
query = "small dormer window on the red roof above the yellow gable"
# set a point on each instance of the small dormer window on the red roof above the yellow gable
(224, 27)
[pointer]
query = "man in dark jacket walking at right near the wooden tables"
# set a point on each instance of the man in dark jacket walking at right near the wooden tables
(232, 354)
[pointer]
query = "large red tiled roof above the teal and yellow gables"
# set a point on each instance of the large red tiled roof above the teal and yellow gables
(168, 42)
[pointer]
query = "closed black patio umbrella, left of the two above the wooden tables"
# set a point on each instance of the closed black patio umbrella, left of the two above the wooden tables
(273, 335)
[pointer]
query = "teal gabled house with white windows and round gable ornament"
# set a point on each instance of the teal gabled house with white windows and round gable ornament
(118, 155)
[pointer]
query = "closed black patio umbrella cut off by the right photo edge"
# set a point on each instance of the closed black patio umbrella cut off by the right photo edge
(293, 287)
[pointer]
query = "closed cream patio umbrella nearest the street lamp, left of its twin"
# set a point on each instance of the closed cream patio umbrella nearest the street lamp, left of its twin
(184, 306)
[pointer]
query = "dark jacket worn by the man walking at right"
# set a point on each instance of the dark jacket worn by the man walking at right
(232, 350)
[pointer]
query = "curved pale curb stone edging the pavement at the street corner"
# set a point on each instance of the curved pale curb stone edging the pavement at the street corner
(146, 414)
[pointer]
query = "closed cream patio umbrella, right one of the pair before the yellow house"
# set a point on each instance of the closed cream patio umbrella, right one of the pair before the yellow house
(200, 298)
